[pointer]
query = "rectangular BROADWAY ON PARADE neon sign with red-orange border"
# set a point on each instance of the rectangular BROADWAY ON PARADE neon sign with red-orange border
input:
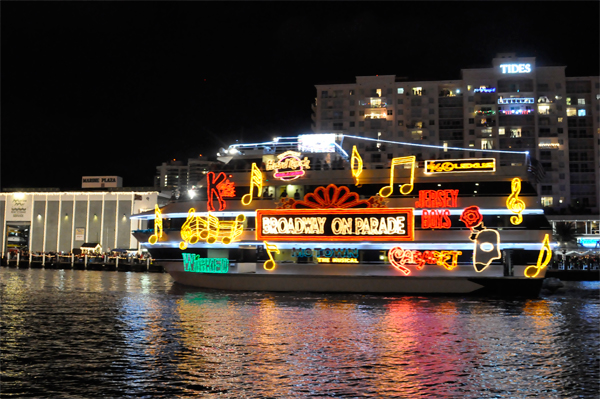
(376, 224)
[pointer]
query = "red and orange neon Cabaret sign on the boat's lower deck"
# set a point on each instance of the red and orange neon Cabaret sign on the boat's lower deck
(399, 258)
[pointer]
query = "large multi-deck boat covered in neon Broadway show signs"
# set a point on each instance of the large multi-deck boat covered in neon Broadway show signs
(324, 213)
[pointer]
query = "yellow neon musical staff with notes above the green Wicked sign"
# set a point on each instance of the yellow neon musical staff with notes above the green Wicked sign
(210, 229)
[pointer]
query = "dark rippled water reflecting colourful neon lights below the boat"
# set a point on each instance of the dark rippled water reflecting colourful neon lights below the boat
(109, 334)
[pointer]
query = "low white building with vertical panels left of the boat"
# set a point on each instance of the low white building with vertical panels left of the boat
(60, 221)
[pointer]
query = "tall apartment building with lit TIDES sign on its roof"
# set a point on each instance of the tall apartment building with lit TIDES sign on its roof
(513, 105)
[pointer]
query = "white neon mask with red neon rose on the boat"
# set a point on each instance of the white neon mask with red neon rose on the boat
(487, 241)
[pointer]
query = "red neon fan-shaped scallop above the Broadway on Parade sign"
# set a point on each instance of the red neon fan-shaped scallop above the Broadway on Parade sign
(331, 196)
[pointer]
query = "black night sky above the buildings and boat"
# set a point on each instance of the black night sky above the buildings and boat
(117, 88)
